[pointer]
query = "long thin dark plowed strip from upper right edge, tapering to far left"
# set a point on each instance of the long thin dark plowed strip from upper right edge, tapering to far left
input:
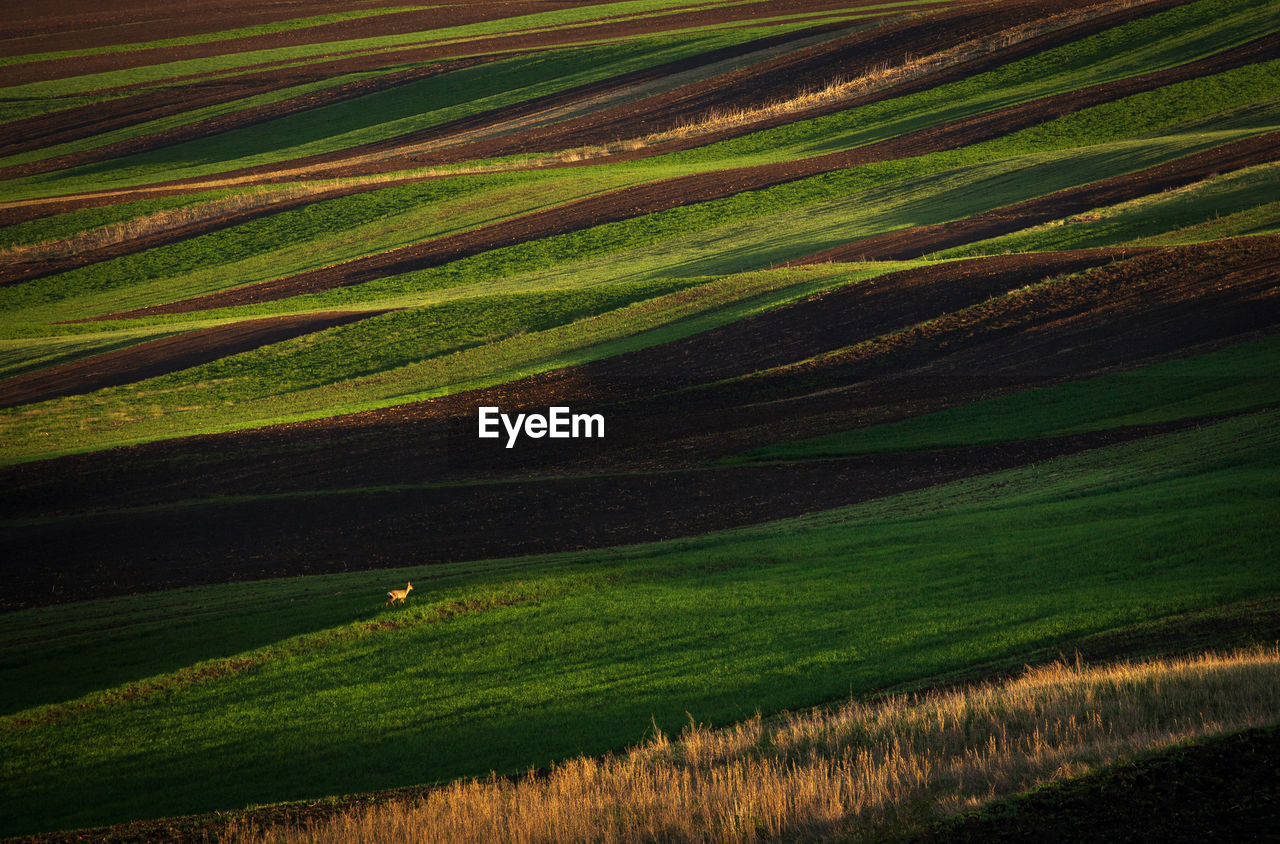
(648, 199)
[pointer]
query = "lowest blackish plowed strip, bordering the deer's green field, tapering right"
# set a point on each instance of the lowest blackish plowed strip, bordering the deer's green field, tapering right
(112, 555)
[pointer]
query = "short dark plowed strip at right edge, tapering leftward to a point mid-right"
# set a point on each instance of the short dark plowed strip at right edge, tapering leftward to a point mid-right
(922, 240)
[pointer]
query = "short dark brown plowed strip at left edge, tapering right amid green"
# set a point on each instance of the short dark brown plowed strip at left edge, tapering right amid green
(166, 355)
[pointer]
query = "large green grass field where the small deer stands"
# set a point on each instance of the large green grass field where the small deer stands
(785, 615)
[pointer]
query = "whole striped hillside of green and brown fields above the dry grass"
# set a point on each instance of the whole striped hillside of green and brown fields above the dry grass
(930, 340)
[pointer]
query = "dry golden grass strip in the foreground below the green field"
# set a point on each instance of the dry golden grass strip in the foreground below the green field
(860, 772)
